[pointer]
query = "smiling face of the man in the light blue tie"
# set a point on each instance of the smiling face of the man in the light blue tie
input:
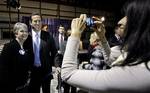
(36, 22)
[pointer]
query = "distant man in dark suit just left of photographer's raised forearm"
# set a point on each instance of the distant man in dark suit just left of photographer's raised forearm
(60, 45)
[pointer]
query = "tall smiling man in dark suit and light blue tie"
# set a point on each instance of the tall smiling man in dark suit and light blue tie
(43, 46)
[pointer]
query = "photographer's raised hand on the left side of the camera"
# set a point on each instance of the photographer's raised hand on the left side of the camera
(78, 25)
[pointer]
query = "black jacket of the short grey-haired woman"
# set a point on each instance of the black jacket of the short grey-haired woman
(15, 66)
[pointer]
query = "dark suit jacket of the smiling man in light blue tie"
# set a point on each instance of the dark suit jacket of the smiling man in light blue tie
(47, 52)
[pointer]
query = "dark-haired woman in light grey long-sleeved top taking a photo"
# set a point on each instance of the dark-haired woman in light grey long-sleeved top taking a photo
(133, 74)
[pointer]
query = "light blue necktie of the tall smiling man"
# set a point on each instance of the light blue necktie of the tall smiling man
(37, 62)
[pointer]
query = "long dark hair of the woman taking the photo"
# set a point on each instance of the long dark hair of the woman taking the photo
(137, 32)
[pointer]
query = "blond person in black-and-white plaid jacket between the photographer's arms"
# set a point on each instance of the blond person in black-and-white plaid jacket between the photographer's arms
(97, 60)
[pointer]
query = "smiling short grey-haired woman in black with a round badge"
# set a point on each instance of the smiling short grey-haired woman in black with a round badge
(16, 59)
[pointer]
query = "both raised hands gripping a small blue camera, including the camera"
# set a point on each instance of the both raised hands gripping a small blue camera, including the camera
(79, 24)
